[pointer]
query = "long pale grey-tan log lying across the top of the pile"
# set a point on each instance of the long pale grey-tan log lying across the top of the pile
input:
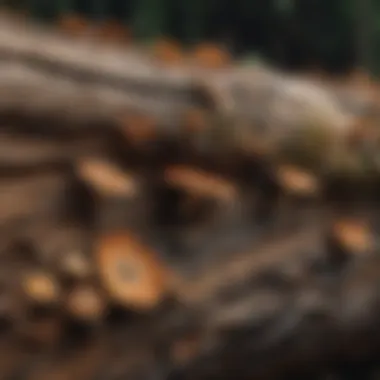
(123, 79)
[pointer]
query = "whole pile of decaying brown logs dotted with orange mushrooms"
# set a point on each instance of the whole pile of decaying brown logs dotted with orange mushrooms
(107, 156)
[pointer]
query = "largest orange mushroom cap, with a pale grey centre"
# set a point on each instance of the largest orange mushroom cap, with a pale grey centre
(130, 272)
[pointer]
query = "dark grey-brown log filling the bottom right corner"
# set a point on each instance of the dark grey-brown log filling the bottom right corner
(273, 325)
